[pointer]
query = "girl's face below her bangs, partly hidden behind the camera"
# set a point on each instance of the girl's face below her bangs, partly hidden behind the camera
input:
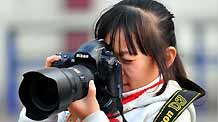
(137, 70)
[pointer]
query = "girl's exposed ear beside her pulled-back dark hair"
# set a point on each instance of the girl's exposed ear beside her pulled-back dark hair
(171, 55)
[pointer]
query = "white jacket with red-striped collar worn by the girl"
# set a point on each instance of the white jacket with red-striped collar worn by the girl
(142, 108)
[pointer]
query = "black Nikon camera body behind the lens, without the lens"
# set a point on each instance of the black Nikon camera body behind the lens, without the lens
(106, 70)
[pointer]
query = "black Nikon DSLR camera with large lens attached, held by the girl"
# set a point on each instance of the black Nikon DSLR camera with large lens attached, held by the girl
(51, 90)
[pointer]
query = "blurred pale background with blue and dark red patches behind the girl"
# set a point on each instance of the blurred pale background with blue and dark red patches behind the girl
(31, 30)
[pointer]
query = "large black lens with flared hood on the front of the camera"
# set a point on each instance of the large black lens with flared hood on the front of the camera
(51, 90)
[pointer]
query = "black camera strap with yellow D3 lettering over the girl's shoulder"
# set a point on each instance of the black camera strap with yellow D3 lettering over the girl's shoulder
(176, 104)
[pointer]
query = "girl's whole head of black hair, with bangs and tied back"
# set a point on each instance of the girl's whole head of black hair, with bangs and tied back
(153, 29)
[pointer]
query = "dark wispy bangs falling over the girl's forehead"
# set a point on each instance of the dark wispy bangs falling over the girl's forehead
(134, 22)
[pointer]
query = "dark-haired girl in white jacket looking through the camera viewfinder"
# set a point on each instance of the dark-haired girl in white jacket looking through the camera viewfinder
(142, 36)
